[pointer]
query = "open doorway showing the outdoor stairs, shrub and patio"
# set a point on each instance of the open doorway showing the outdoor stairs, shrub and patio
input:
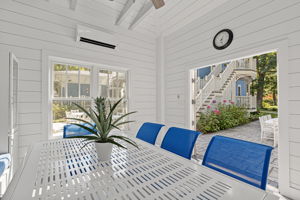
(237, 99)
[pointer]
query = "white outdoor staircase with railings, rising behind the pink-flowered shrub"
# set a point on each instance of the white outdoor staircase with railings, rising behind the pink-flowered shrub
(220, 85)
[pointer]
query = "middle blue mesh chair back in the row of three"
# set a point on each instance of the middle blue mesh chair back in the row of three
(180, 141)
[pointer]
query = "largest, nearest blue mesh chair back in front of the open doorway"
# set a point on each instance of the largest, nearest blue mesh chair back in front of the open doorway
(243, 160)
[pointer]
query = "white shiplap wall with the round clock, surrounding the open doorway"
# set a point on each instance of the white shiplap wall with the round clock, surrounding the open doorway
(254, 22)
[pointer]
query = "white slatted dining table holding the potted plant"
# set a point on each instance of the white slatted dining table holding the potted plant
(58, 169)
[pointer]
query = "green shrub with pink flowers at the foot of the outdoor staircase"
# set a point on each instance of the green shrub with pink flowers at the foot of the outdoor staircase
(221, 118)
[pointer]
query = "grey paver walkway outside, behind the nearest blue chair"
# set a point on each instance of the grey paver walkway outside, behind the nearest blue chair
(249, 132)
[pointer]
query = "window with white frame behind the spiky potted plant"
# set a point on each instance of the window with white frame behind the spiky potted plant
(79, 84)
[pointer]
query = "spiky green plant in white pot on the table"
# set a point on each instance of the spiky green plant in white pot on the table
(100, 125)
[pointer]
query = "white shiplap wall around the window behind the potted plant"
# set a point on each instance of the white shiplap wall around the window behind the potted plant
(28, 27)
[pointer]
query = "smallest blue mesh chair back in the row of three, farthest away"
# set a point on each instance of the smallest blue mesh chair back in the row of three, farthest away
(149, 132)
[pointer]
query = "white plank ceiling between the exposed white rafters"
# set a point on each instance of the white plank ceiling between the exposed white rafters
(174, 15)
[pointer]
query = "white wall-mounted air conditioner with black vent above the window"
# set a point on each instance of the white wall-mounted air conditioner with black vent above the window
(95, 37)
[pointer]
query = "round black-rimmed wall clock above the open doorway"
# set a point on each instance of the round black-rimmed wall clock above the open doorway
(223, 39)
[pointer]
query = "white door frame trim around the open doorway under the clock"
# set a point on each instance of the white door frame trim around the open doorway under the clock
(281, 46)
